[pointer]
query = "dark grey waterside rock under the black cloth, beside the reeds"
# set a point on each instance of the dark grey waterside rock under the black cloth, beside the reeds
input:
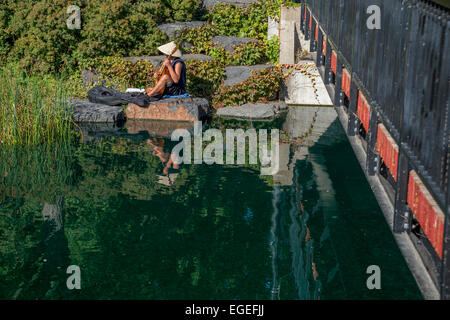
(85, 111)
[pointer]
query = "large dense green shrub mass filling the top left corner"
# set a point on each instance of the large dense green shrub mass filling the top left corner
(34, 32)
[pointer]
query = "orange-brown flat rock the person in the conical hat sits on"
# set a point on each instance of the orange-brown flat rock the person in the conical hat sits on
(184, 109)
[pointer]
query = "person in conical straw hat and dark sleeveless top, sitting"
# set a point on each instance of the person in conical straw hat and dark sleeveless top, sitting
(173, 81)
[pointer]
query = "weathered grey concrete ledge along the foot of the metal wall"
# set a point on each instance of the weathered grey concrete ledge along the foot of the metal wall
(412, 257)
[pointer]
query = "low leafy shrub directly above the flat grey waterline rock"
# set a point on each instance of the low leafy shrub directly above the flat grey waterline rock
(262, 86)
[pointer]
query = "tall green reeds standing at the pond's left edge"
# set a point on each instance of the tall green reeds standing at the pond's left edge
(33, 109)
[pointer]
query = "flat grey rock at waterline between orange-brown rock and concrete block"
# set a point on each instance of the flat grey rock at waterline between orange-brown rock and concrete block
(253, 111)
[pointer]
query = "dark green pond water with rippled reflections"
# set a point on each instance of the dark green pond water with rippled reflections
(214, 232)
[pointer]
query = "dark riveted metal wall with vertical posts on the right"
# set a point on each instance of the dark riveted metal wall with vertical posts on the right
(403, 70)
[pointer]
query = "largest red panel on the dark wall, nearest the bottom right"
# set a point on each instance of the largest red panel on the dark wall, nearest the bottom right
(427, 212)
